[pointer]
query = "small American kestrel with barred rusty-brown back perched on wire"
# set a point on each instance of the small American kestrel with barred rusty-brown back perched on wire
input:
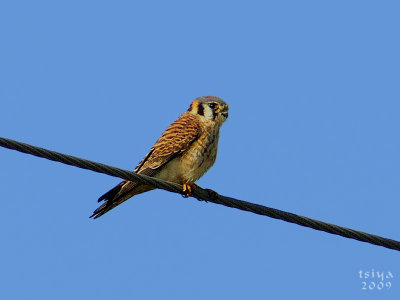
(183, 153)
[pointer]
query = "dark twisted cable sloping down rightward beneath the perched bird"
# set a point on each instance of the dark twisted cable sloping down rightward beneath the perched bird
(201, 194)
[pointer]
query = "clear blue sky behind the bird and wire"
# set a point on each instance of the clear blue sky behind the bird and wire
(313, 89)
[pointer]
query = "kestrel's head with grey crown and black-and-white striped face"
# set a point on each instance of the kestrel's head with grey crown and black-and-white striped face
(210, 108)
